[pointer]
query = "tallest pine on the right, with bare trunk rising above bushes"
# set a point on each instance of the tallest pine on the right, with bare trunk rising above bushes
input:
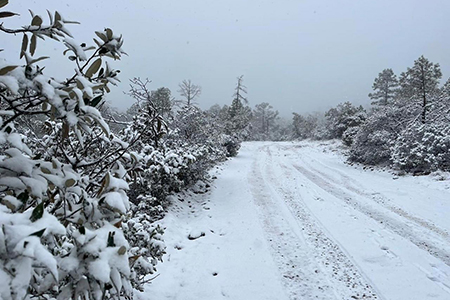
(420, 82)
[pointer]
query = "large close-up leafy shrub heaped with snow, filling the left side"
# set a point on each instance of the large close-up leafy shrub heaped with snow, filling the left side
(63, 188)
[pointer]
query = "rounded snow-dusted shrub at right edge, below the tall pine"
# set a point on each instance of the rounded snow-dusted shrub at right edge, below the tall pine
(423, 148)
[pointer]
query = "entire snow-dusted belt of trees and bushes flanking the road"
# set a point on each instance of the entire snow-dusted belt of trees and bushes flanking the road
(82, 183)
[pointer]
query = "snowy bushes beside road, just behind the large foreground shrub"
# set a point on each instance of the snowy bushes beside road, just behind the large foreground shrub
(173, 154)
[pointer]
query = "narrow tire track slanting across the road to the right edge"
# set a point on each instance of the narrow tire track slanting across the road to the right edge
(394, 225)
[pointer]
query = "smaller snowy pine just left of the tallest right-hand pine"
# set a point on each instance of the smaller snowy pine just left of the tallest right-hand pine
(384, 86)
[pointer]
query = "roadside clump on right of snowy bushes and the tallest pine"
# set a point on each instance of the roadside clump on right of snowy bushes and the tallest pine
(410, 132)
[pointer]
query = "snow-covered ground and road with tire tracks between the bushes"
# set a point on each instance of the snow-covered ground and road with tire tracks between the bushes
(293, 221)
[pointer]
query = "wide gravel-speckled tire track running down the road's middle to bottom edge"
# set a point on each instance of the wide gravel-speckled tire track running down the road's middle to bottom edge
(321, 257)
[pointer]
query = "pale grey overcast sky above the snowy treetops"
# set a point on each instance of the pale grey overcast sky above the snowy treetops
(300, 56)
